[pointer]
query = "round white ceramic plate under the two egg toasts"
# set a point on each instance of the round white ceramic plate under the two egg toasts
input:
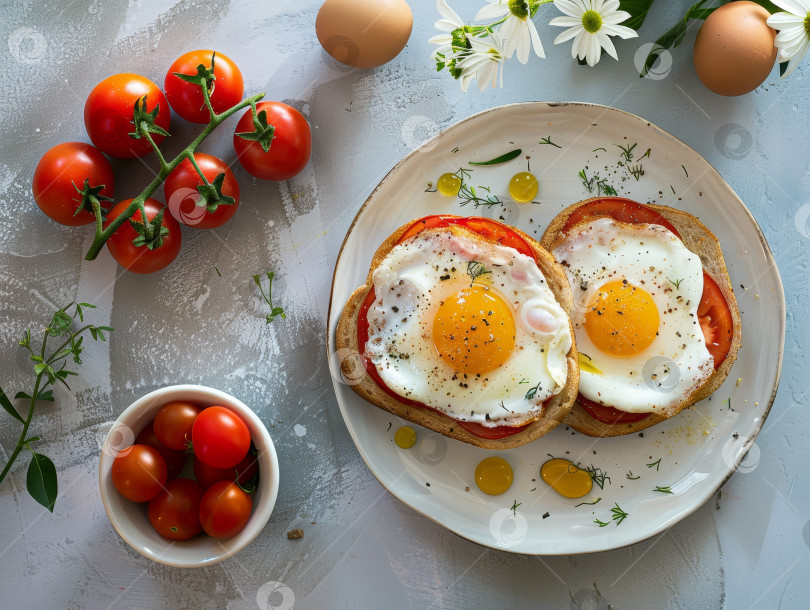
(698, 449)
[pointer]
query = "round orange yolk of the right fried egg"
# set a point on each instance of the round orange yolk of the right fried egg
(622, 319)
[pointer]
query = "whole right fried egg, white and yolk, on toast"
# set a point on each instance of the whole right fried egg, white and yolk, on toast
(636, 293)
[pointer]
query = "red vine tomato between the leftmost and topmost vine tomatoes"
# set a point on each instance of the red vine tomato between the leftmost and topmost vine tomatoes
(109, 113)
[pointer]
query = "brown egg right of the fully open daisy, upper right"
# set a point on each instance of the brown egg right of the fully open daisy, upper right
(734, 50)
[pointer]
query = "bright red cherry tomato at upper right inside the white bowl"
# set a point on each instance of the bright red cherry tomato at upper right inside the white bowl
(220, 438)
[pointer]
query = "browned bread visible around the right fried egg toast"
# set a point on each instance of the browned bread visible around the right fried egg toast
(697, 238)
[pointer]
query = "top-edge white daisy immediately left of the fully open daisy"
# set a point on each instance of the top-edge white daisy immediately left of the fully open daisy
(517, 31)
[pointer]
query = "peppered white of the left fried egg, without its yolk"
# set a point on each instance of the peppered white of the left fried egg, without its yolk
(415, 278)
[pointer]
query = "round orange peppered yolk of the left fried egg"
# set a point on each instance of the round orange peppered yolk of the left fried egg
(474, 330)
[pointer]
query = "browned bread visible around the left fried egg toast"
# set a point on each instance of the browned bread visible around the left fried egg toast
(353, 367)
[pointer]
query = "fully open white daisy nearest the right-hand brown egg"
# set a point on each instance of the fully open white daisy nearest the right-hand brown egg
(591, 23)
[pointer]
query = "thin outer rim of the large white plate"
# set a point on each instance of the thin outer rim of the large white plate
(781, 319)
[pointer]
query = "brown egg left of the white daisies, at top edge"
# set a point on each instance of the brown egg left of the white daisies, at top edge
(364, 33)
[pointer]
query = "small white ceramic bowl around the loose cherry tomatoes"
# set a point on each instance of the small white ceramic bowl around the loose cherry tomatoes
(130, 520)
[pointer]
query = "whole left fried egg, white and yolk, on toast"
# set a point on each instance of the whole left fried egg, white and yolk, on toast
(467, 327)
